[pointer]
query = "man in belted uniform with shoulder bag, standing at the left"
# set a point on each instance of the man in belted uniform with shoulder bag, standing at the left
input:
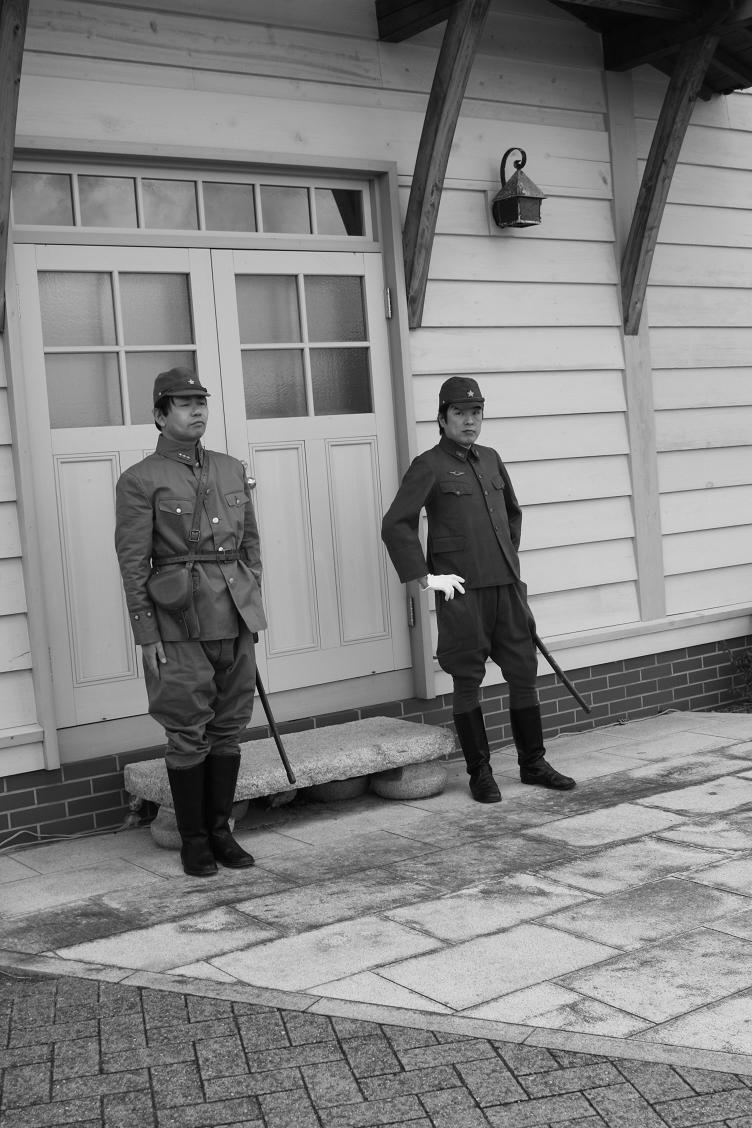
(188, 545)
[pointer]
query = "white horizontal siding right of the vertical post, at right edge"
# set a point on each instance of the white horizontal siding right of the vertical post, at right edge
(701, 320)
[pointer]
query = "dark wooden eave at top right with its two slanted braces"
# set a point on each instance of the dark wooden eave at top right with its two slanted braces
(705, 47)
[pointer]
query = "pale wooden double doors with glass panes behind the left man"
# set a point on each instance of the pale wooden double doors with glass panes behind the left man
(293, 347)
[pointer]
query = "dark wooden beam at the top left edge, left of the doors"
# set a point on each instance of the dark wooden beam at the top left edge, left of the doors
(14, 15)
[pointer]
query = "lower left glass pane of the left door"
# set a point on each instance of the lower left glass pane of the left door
(84, 391)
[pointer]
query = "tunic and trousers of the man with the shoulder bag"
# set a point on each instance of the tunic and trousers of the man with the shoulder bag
(204, 694)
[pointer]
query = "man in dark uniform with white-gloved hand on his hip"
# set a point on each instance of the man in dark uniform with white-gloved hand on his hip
(473, 566)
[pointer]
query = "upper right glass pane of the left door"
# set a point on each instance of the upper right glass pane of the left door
(156, 310)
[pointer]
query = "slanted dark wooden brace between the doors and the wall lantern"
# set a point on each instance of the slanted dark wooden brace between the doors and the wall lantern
(458, 50)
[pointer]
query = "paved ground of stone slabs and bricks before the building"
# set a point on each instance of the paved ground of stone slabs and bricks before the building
(591, 950)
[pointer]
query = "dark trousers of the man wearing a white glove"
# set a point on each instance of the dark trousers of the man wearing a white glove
(488, 623)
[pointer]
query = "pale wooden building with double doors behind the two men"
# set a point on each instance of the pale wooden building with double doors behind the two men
(297, 198)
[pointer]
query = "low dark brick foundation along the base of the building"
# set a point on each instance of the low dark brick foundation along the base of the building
(89, 797)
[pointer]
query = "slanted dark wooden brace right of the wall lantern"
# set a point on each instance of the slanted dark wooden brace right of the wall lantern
(676, 113)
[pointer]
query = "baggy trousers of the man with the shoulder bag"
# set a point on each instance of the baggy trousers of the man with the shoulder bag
(204, 698)
